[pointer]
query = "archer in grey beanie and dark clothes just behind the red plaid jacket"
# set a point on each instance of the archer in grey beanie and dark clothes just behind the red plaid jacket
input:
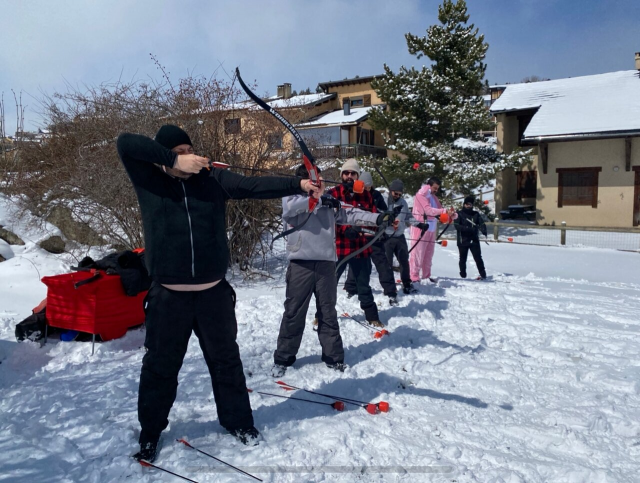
(378, 254)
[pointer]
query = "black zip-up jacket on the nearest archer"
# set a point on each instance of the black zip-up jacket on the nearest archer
(184, 219)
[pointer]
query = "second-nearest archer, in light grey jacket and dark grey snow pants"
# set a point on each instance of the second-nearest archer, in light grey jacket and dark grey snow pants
(311, 251)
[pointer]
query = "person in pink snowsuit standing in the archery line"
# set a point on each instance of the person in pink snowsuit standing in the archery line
(426, 206)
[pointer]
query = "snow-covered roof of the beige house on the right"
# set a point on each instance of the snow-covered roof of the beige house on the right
(594, 104)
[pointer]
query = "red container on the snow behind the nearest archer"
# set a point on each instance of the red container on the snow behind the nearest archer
(99, 307)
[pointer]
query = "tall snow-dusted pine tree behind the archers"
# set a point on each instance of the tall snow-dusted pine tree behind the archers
(429, 110)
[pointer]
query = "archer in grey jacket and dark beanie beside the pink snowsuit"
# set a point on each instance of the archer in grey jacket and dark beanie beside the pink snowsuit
(396, 244)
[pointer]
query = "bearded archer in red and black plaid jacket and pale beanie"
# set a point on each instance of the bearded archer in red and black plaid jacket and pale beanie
(350, 239)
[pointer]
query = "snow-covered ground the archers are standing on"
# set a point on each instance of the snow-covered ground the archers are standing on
(533, 376)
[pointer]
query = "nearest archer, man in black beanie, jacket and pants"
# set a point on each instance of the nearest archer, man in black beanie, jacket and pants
(183, 215)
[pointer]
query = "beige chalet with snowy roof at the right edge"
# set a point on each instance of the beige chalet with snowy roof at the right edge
(584, 133)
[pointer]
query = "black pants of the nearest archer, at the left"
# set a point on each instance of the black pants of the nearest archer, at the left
(171, 316)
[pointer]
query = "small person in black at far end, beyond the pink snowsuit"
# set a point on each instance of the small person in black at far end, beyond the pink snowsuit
(468, 225)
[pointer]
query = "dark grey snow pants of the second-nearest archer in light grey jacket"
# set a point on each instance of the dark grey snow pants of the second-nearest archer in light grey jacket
(304, 278)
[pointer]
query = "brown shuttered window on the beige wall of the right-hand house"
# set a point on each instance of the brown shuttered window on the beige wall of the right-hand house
(578, 187)
